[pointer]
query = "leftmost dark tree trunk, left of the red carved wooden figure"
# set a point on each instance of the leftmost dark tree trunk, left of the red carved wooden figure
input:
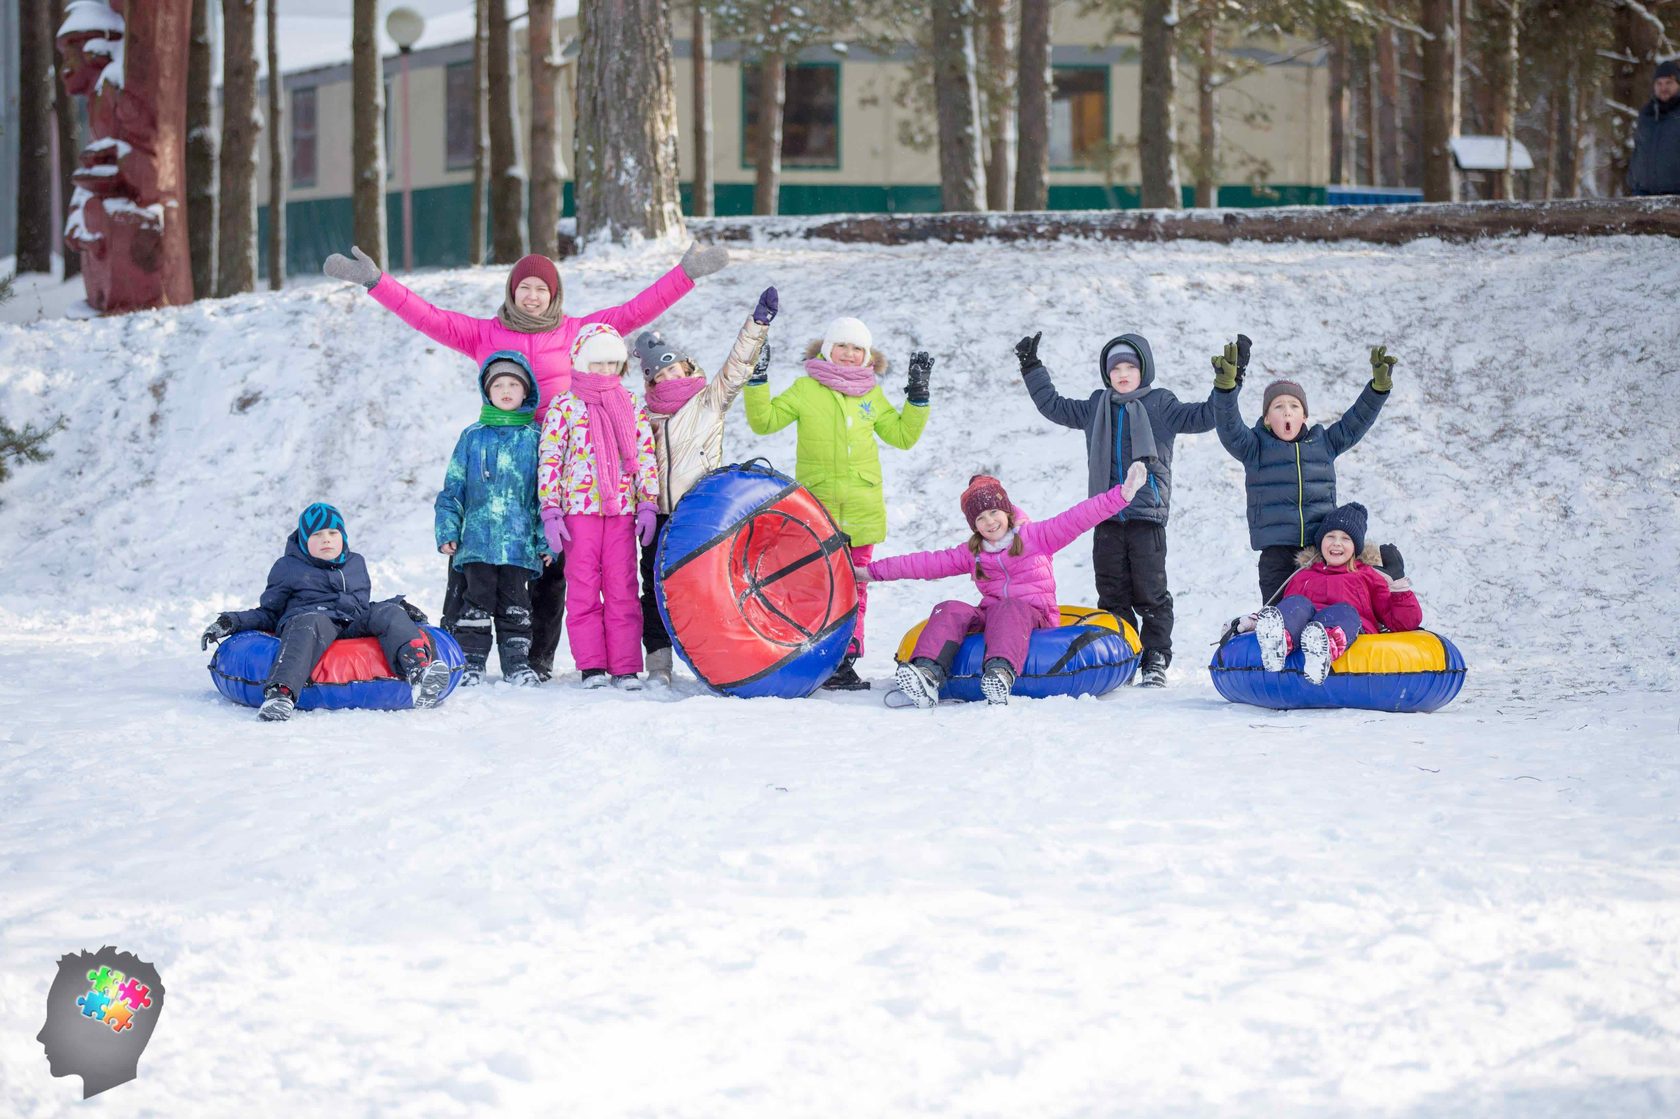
(36, 125)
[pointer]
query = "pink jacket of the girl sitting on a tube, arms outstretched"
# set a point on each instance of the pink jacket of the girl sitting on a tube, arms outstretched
(1000, 575)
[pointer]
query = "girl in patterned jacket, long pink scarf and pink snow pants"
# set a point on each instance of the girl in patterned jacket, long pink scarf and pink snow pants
(597, 488)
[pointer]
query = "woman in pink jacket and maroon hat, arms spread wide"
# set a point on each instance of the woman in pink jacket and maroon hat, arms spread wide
(533, 323)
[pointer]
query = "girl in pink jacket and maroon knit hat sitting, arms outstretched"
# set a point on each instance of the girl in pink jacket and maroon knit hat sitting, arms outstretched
(1014, 565)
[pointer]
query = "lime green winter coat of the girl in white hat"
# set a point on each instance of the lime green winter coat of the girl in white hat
(837, 456)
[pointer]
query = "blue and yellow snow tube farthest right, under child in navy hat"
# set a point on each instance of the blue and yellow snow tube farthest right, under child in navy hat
(1412, 671)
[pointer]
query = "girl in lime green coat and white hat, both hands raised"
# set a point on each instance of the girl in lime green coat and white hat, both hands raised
(841, 411)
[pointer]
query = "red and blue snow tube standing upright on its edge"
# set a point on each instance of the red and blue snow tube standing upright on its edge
(755, 584)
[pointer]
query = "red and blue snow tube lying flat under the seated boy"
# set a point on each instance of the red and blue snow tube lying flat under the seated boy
(352, 673)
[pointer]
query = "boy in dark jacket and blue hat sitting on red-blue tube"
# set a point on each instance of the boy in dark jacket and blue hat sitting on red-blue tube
(318, 592)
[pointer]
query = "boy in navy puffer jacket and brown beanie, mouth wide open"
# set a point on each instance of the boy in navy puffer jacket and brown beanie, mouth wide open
(1289, 468)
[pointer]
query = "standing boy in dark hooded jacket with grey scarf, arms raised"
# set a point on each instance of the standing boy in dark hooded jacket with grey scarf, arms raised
(1126, 421)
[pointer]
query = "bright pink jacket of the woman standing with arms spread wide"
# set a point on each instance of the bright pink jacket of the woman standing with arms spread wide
(550, 354)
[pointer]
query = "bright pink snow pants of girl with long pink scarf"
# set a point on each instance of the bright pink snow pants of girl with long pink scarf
(604, 616)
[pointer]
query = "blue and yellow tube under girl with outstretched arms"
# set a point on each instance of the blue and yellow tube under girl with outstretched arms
(1091, 653)
